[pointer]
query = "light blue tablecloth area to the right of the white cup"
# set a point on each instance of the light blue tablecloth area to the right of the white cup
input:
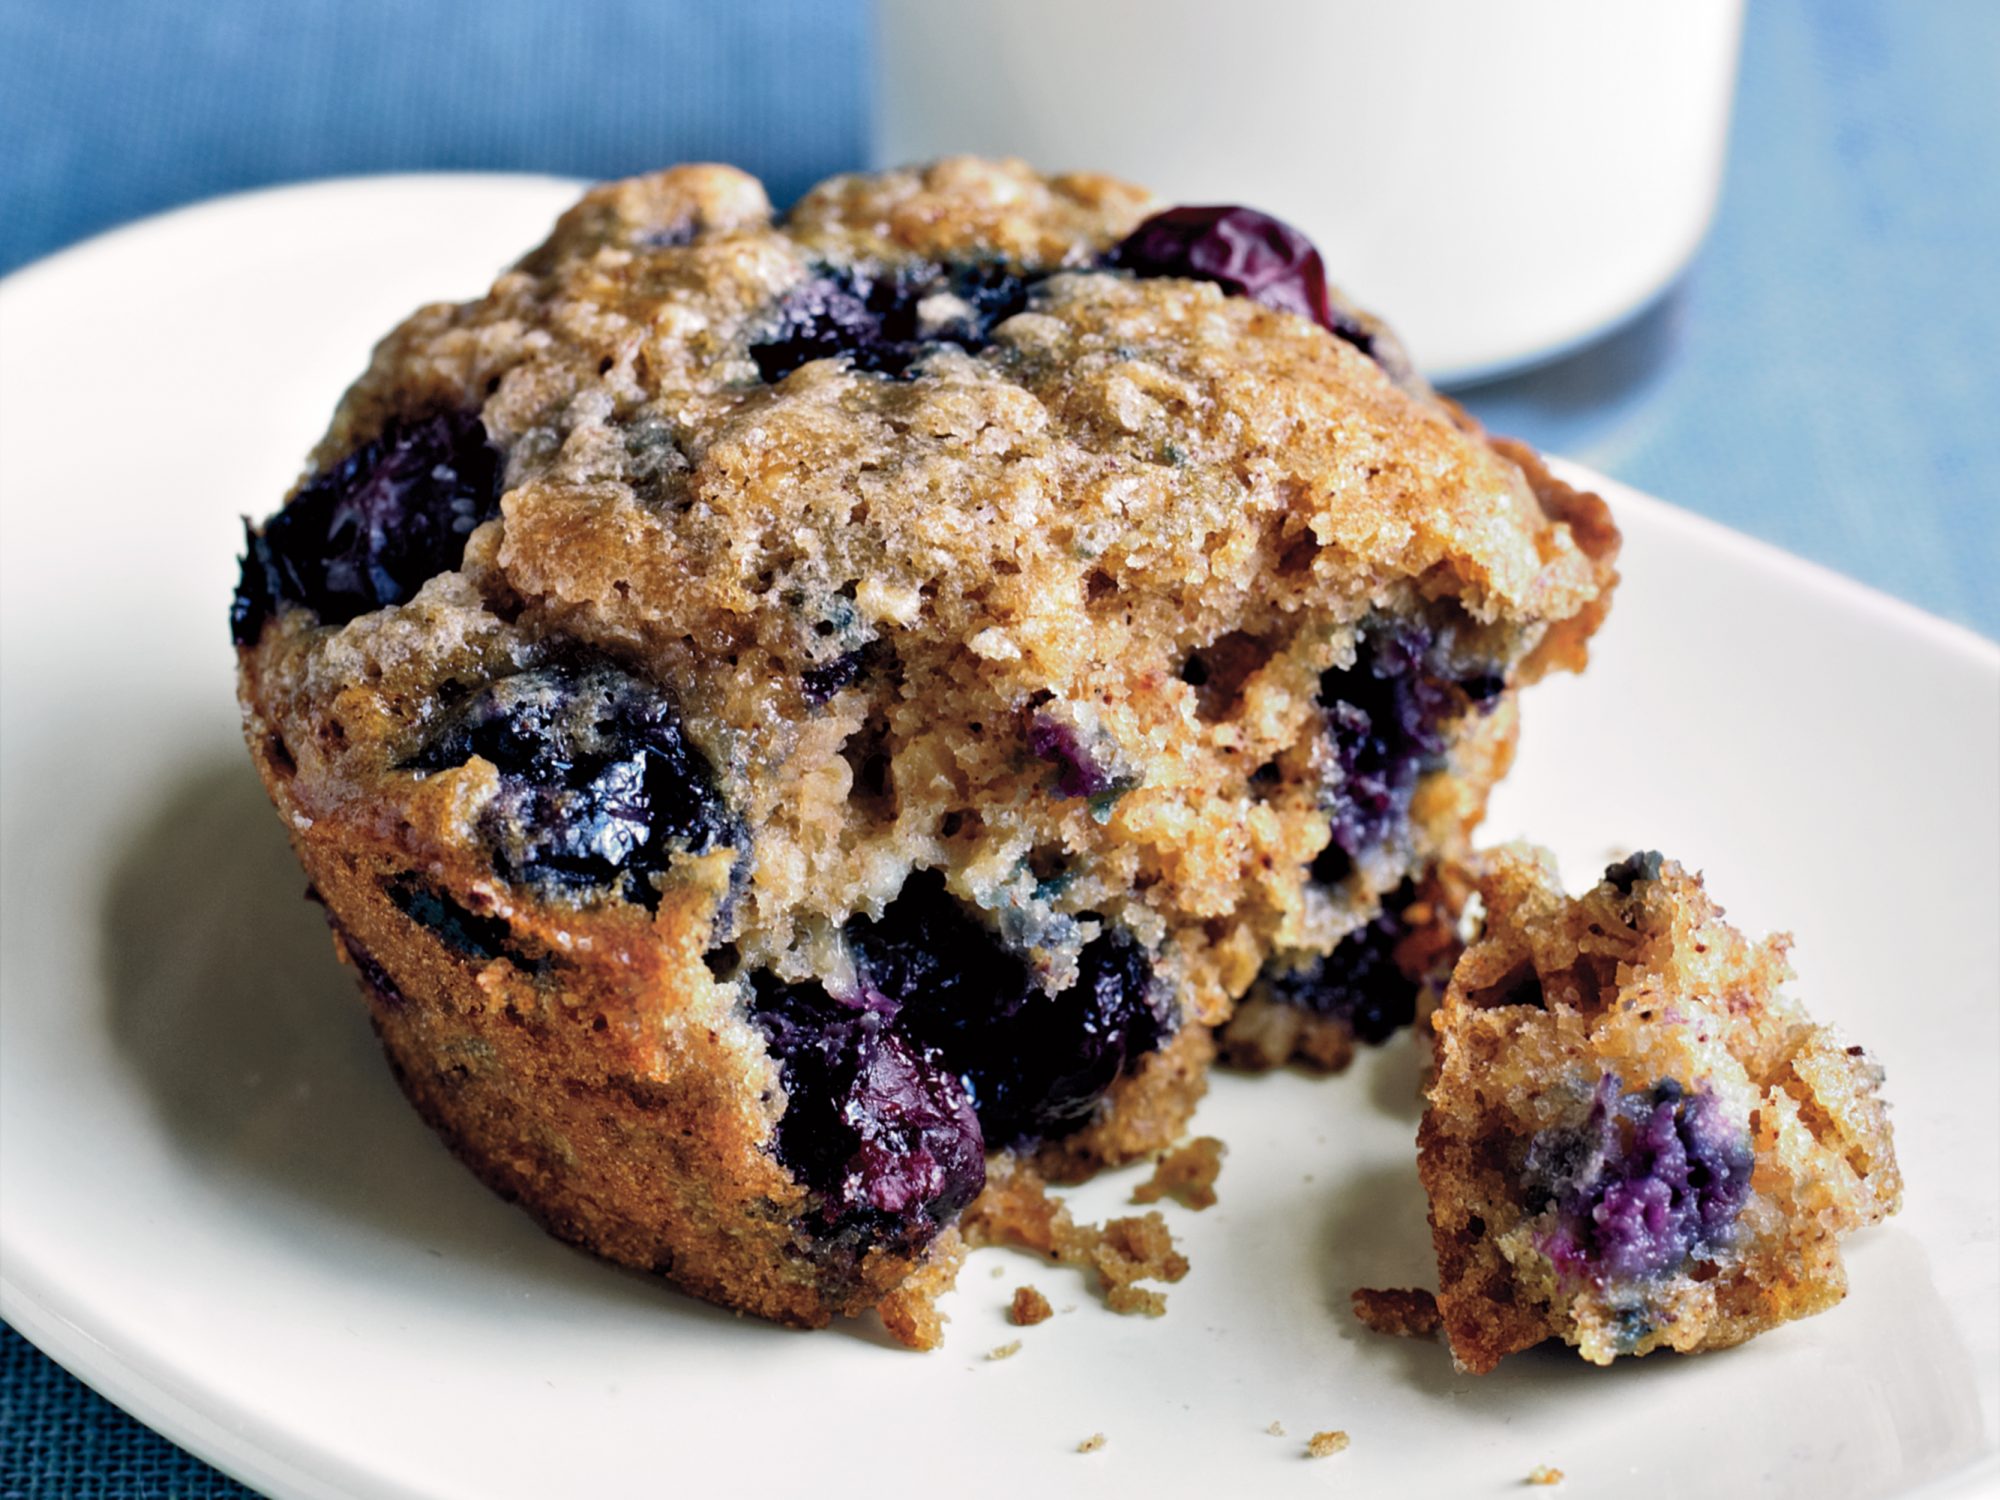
(1829, 373)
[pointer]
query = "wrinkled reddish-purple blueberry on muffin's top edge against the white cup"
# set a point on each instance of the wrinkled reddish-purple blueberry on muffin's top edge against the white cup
(1245, 253)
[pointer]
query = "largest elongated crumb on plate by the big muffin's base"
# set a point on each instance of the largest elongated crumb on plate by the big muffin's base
(1019, 1211)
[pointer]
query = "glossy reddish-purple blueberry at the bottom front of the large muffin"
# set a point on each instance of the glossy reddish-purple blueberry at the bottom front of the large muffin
(875, 1127)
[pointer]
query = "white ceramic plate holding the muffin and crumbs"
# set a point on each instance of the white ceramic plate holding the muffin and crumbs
(221, 1213)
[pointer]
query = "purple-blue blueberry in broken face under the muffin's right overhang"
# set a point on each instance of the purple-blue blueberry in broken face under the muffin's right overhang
(1387, 725)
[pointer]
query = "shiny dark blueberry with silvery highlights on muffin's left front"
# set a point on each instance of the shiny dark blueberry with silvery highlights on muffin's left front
(599, 785)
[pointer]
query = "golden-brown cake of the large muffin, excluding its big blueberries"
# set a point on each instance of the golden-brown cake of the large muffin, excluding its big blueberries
(1133, 471)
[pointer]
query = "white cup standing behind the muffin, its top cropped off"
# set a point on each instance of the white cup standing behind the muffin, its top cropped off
(1499, 179)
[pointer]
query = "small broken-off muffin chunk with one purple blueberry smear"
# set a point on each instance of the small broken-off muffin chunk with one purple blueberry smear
(1635, 1139)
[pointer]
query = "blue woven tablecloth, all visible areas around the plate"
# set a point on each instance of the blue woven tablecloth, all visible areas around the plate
(1827, 377)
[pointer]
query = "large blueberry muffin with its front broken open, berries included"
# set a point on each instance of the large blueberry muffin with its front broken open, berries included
(779, 711)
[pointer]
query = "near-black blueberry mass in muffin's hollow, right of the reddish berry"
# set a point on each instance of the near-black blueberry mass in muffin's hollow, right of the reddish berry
(1035, 1065)
